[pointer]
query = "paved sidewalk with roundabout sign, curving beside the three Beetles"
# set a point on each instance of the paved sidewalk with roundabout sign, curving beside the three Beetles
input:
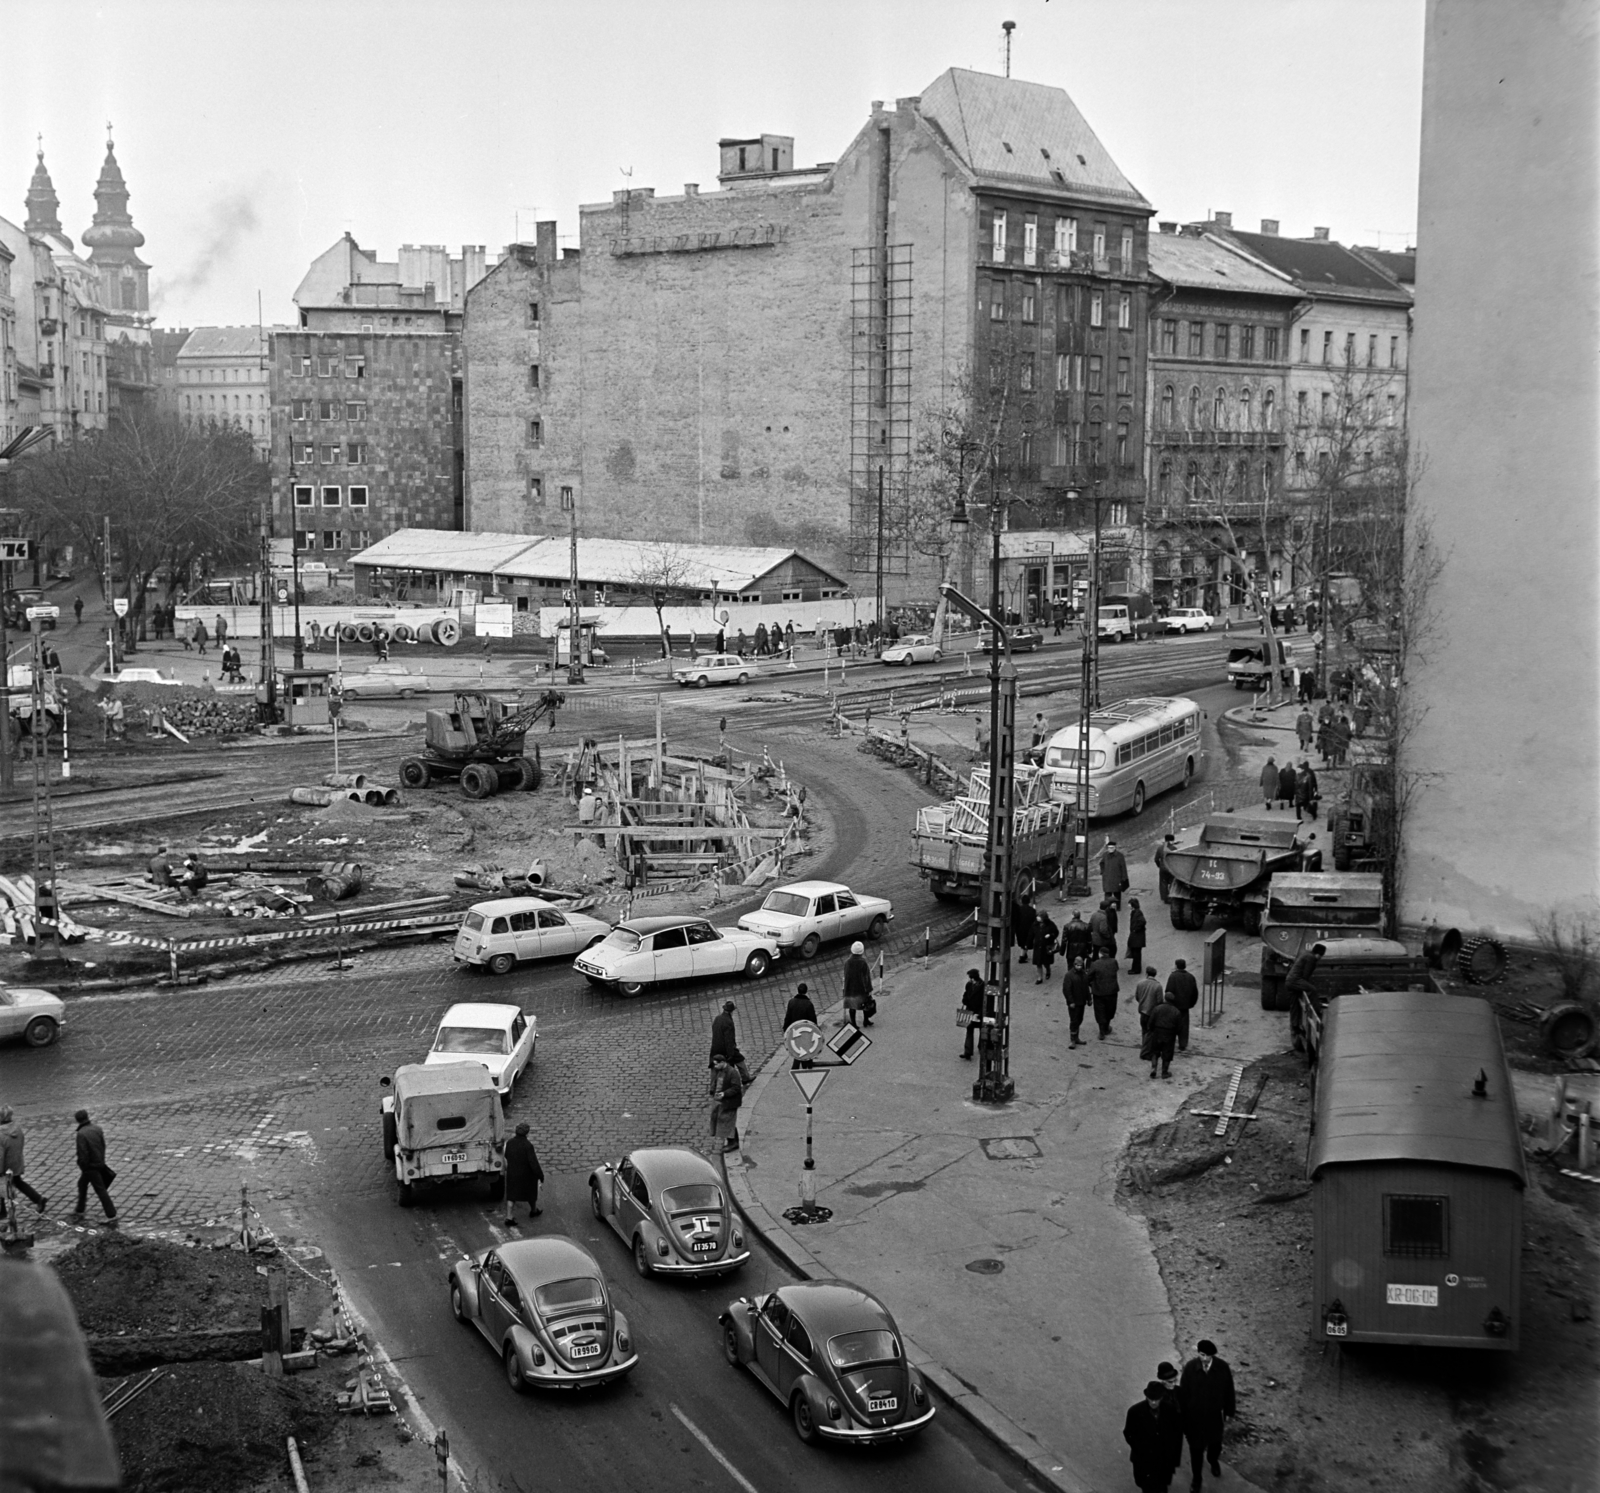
(994, 1236)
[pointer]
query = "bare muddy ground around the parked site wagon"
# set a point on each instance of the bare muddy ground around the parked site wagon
(1233, 1231)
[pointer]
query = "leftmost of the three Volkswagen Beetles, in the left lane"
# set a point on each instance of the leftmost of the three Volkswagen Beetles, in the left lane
(545, 1308)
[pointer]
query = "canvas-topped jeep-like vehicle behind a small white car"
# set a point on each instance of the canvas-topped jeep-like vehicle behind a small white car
(442, 1123)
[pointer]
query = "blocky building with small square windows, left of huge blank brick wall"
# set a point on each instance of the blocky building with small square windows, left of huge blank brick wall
(366, 398)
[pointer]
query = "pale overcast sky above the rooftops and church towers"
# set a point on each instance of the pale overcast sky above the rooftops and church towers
(254, 134)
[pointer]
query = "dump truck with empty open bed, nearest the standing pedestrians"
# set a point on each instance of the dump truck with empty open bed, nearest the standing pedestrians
(1228, 865)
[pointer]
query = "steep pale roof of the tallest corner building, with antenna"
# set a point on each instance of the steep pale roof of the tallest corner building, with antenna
(1020, 134)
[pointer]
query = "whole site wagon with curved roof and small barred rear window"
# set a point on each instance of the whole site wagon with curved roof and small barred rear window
(1417, 1175)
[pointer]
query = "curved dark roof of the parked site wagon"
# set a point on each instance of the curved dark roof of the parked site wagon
(1396, 1084)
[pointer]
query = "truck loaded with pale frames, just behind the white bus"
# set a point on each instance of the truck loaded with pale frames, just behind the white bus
(951, 839)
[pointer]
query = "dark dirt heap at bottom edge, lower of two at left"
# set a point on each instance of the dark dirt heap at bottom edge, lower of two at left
(217, 1428)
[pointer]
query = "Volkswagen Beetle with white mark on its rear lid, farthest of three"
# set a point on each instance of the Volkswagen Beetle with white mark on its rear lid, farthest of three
(670, 1209)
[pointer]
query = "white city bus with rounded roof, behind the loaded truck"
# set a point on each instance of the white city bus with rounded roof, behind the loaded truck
(1138, 748)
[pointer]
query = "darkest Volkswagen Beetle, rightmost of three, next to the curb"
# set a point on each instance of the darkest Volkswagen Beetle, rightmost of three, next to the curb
(833, 1355)
